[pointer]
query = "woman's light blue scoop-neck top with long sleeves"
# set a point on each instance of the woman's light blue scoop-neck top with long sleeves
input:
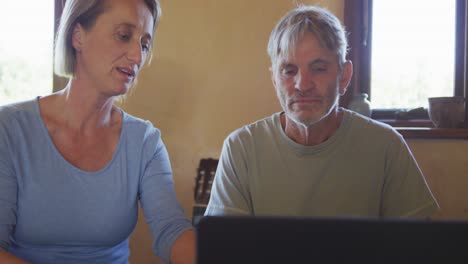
(53, 212)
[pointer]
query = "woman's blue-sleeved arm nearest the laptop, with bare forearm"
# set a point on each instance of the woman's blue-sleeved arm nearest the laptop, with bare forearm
(173, 238)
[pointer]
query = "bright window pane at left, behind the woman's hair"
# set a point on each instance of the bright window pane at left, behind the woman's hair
(26, 47)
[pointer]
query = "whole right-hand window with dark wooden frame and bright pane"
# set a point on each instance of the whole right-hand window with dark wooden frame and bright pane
(378, 52)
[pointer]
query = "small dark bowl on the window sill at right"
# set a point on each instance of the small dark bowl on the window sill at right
(447, 112)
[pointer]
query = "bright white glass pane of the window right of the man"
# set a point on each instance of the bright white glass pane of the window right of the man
(413, 47)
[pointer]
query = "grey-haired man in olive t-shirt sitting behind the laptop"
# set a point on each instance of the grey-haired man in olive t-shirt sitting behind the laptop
(315, 158)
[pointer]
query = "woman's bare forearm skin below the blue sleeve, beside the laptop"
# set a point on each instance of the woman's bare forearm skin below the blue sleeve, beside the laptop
(183, 249)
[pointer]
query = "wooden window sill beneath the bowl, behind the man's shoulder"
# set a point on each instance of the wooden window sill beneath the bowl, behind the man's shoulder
(423, 129)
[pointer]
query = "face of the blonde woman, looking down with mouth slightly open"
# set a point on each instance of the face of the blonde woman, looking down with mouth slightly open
(111, 53)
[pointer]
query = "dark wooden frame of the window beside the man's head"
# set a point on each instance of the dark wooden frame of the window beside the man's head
(358, 22)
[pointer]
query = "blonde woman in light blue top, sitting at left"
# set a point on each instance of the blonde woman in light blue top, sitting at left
(73, 165)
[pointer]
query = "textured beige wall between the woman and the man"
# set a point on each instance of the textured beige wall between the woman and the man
(209, 76)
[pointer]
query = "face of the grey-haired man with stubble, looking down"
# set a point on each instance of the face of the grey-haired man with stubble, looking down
(309, 82)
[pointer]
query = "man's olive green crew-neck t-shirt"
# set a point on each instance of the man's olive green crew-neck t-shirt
(364, 169)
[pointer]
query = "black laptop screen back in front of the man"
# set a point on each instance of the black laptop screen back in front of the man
(273, 240)
